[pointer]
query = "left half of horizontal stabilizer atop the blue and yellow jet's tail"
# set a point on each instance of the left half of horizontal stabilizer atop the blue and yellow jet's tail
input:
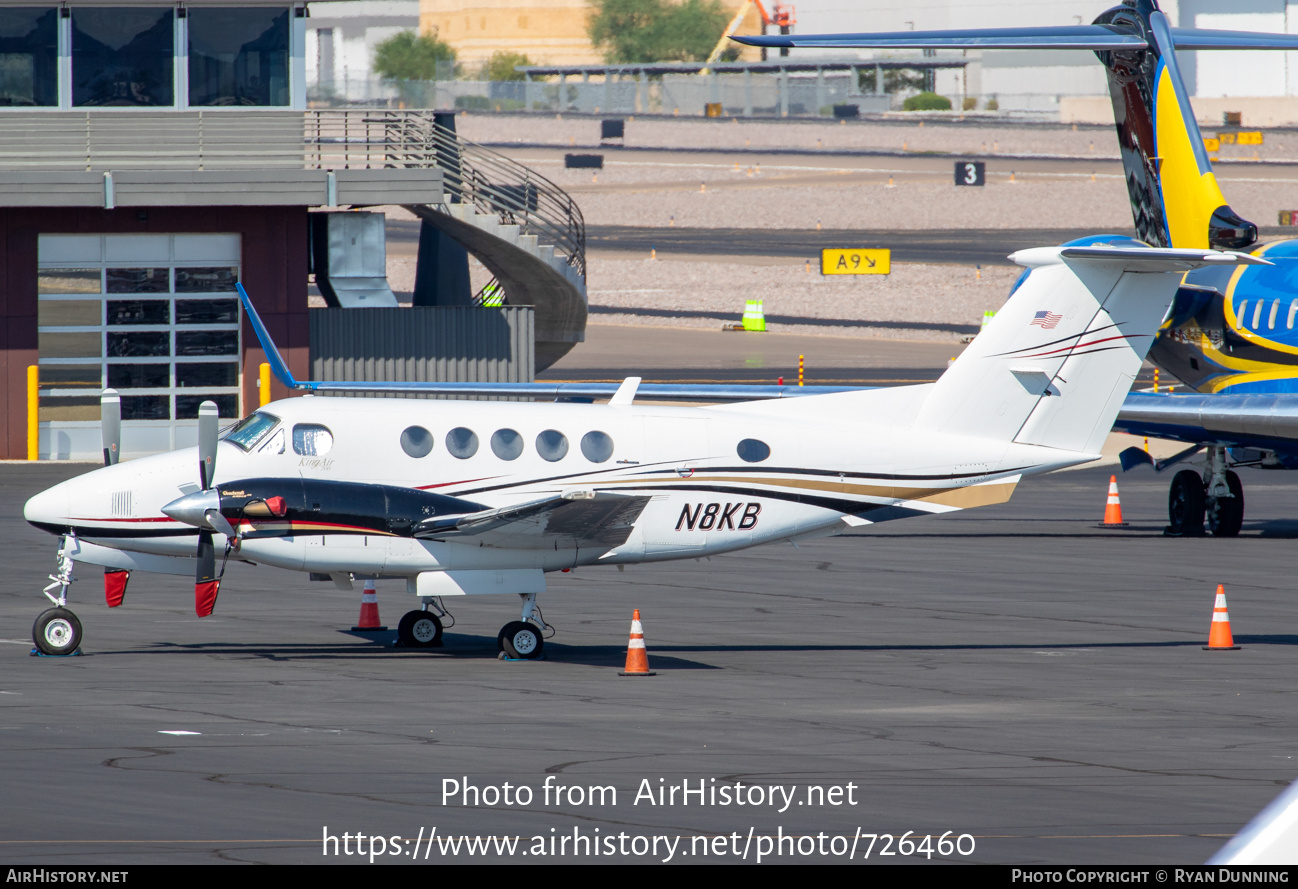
(1066, 37)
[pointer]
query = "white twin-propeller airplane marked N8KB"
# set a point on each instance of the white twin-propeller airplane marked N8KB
(468, 498)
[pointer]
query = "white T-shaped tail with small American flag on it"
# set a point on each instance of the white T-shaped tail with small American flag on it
(1055, 365)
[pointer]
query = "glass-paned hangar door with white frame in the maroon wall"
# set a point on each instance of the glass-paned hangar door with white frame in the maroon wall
(155, 317)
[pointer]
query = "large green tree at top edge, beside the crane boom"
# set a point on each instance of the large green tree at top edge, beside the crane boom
(638, 32)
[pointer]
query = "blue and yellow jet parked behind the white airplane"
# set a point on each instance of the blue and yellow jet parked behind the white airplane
(1231, 335)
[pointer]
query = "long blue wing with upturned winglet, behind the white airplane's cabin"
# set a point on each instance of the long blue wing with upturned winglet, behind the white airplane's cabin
(555, 391)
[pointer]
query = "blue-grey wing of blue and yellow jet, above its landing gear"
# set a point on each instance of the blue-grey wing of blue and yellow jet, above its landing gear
(1236, 421)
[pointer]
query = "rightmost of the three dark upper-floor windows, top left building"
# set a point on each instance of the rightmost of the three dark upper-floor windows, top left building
(238, 56)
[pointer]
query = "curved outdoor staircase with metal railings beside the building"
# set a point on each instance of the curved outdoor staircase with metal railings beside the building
(521, 226)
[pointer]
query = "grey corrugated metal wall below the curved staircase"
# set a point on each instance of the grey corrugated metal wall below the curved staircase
(442, 345)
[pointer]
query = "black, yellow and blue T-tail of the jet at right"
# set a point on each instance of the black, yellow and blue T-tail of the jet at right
(1174, 194)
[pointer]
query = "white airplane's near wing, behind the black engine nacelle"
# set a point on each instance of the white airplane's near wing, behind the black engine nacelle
(586, 520)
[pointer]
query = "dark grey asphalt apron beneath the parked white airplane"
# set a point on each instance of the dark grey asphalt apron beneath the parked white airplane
(1013, 674)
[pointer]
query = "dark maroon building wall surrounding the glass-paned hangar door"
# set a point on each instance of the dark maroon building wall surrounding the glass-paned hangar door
(275, 274)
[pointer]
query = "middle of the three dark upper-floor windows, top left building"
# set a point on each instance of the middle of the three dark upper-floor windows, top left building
(124, 56)
